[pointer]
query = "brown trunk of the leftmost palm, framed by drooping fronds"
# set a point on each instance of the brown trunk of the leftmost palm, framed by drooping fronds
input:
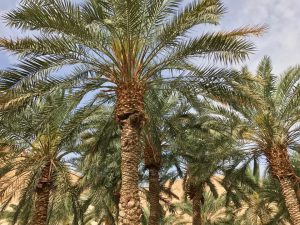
(42, 197)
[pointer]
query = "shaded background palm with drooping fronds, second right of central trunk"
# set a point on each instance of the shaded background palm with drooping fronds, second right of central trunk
(205, 150)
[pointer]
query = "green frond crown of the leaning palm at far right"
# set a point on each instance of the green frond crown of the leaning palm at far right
(273, 120)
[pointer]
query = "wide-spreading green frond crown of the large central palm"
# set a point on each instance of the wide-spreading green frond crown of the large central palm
(113, 41)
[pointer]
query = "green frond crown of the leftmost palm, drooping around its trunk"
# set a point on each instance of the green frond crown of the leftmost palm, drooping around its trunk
(47, 130)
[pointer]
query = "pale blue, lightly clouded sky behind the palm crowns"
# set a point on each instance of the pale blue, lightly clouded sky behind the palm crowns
(281, 42)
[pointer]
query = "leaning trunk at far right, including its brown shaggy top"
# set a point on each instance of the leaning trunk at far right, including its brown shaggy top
(282, 169)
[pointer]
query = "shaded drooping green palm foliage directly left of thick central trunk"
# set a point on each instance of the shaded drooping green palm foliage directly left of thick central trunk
(100, 151)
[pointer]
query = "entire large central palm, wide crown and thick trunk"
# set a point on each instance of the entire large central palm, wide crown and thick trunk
(119, 46)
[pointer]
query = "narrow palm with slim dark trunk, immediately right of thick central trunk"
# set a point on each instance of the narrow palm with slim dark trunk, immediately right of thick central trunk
(160, 106)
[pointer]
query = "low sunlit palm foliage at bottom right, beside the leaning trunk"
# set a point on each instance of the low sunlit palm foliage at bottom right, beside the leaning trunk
(263, 206)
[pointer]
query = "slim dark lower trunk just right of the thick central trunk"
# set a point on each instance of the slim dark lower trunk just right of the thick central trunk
(154, 190)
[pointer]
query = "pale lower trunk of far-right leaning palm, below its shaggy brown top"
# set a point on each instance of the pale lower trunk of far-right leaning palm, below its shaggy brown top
(291, 200)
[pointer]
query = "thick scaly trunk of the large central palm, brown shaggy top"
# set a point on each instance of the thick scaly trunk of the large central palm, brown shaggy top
(130, 116)
